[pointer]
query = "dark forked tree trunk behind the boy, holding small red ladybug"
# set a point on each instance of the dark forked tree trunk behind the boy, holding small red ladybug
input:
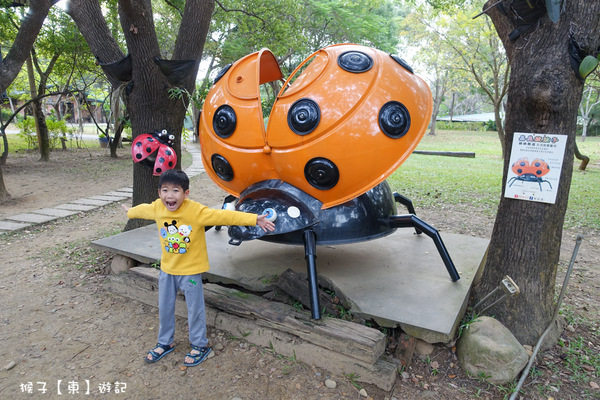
(152, 102)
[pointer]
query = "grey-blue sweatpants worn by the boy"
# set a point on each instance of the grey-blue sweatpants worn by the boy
(191, 286)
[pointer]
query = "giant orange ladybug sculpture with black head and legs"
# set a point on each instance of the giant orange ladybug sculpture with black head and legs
(344, 120)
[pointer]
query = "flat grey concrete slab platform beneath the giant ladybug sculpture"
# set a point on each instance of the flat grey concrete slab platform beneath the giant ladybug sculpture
(399, 280)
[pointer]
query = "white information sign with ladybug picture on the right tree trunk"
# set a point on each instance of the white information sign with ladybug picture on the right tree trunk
(535, 166)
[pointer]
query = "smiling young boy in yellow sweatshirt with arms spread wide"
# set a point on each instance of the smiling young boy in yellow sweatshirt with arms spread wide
(184, 258)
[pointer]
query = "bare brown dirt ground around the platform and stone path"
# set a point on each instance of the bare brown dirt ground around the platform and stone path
(63, 334)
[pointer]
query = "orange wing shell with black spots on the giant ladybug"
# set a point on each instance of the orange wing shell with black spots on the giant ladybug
(348, 120)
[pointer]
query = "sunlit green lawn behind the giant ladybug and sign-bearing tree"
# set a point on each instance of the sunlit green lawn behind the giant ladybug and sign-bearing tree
(432, 180)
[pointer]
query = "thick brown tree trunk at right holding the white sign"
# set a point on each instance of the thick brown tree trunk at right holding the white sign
(543, 97)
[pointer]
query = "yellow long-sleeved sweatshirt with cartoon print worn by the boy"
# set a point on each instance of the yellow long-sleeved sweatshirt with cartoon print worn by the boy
(182, 232)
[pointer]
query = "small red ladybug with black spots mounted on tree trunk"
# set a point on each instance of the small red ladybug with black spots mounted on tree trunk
(155, 151)
